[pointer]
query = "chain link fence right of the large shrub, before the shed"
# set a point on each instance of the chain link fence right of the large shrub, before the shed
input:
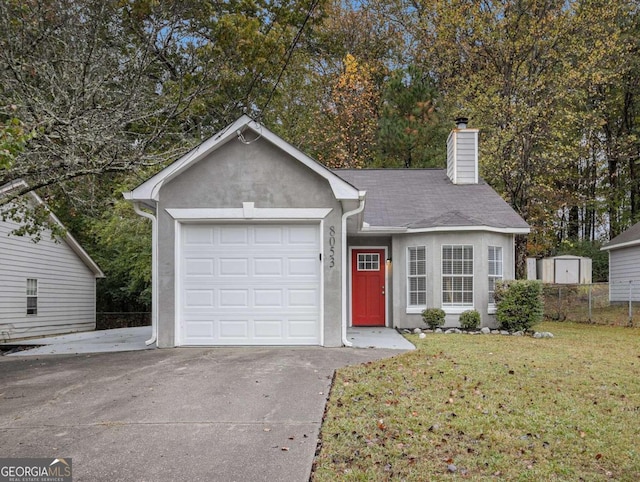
(590, 303)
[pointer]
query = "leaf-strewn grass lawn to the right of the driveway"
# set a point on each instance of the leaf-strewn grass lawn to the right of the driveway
(511, 408)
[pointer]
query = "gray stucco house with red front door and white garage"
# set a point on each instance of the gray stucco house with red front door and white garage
(255, 243)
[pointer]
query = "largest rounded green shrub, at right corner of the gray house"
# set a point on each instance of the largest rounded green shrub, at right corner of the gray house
(519, 304)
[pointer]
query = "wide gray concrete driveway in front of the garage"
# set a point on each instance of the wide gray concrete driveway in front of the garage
(236, 414)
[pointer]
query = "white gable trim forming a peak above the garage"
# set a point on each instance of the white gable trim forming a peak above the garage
(149, 190)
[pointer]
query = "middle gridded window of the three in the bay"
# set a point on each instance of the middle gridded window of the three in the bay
(457, 275)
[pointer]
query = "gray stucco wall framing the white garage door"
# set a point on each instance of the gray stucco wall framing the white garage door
(258, 173)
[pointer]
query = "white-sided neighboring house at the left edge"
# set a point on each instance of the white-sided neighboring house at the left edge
(46, 288)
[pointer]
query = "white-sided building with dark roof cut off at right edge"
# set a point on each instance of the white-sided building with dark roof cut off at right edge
(624, 265)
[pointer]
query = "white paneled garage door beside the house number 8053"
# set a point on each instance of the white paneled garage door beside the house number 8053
(250, 284)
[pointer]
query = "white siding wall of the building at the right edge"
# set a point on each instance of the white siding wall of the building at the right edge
(624, 266)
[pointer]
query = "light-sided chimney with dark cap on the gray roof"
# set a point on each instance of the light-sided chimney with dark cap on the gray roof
(462, 153)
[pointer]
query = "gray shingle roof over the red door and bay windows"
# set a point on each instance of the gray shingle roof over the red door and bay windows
(426, 198)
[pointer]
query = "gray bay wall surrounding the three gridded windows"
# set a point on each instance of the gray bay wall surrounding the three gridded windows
(480, 240)
